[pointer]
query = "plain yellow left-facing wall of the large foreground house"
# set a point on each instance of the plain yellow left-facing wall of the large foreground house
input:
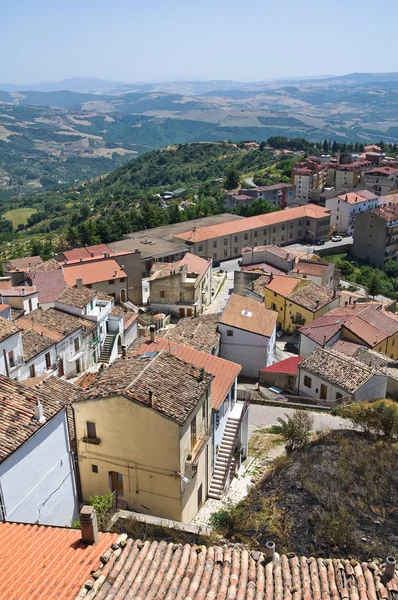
(137, 442)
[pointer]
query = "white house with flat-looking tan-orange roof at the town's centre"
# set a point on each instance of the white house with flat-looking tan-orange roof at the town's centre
(248, 334)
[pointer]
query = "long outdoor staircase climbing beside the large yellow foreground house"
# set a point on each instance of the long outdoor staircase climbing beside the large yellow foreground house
(224, 458)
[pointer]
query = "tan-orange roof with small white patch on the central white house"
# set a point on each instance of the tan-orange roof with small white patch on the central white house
(249, 315)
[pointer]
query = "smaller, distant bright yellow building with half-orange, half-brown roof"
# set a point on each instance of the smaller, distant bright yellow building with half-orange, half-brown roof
(297, 302)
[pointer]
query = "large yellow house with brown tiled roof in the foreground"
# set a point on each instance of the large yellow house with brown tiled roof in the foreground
(144, 430)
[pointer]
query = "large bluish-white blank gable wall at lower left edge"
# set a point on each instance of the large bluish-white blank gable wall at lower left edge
(37, 480)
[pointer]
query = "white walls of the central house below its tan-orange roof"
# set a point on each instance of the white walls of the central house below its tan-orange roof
(251, 351)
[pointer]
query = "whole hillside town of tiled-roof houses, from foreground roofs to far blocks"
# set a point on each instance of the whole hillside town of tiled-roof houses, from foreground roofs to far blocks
(207, 409)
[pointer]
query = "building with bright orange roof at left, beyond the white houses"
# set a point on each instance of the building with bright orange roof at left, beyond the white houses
(103, 275)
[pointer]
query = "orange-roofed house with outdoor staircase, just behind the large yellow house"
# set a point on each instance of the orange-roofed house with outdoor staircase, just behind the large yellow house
(229, 417)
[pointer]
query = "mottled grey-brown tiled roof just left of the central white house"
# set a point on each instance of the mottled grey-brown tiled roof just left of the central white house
(196, 332)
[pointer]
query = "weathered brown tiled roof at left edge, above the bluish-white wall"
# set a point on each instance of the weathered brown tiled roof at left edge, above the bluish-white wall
(17, 423)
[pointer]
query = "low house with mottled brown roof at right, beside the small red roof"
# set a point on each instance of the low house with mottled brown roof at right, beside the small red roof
(329, 375)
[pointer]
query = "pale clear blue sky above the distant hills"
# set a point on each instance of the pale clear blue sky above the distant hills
(164, 40)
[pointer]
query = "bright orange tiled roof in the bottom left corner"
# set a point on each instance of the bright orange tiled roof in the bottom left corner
(41, 563)
